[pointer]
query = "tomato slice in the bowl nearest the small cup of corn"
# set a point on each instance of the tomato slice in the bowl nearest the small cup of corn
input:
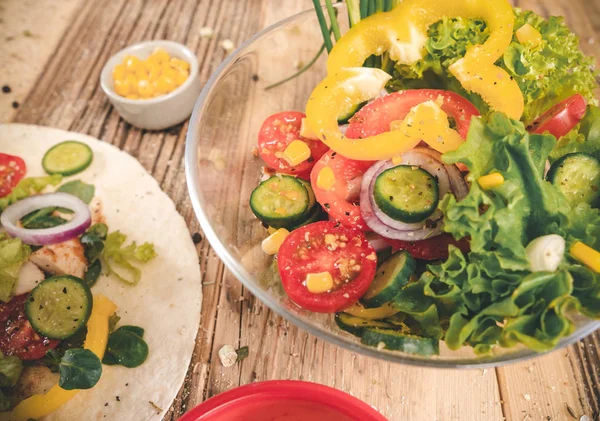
(276, 133)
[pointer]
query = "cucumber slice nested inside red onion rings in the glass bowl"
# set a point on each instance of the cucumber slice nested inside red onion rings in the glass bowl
(406, 193)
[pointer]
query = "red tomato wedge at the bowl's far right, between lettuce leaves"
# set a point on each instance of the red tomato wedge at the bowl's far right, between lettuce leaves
(560, 119)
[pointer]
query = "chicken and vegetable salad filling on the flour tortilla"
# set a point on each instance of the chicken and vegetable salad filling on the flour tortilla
(55, 333)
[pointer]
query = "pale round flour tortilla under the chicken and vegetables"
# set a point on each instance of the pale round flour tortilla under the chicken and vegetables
(166, 302)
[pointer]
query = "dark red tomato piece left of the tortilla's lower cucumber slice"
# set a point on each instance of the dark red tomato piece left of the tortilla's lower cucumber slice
(17, 337)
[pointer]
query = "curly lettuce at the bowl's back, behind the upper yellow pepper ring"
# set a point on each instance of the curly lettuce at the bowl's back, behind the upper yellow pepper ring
(546, 74)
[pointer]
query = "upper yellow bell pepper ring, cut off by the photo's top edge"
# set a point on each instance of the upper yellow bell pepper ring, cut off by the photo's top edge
(403, 33)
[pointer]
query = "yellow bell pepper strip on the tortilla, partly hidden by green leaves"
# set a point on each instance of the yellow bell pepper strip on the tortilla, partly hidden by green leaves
(39, 406)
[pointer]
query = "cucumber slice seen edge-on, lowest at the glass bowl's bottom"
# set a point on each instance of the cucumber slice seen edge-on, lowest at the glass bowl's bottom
(400, 341)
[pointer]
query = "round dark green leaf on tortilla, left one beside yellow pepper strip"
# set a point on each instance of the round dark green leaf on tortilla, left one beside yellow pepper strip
(79, 369)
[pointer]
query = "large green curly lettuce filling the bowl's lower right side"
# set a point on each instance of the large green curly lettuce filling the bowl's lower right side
(488, 297)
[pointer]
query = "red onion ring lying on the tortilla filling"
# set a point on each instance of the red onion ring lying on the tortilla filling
(80, 222)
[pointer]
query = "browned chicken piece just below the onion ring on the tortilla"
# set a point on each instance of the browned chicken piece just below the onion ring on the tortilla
(66, 258)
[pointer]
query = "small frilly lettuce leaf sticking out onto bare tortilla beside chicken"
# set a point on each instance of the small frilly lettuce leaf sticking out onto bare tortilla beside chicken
(118, 259)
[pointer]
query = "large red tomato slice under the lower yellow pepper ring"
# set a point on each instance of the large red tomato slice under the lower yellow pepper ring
(375, 118)
